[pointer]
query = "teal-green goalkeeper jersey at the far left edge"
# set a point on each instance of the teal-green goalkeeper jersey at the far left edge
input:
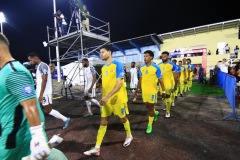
(16, 86)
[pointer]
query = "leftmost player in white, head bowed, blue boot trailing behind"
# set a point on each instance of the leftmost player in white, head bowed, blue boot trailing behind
(44, 88)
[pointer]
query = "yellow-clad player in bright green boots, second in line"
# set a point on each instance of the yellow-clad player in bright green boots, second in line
(150, 74)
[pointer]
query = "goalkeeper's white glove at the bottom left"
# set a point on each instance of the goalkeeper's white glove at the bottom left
(38, 145)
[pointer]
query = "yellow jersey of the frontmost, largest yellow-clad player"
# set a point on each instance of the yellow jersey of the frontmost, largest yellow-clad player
(110, 73)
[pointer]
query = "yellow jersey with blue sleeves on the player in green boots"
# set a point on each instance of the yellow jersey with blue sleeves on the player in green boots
(150, 75)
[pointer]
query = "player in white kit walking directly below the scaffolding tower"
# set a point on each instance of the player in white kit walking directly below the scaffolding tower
(90, 85)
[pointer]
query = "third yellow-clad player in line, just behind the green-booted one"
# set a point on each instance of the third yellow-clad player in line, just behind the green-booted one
(169, 77)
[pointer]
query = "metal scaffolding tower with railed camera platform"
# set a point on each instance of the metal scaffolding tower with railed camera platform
(78, 43)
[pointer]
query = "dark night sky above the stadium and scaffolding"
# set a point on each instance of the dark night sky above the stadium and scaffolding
(27, 19)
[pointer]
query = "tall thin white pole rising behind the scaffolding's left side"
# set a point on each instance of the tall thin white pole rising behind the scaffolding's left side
(56, 36)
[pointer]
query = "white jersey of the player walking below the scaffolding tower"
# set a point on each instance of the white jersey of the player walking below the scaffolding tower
(88, 76)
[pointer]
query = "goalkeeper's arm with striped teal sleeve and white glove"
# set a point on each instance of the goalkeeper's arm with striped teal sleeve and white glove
(23, 90)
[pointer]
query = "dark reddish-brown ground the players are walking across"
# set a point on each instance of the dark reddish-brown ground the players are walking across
(195, 131)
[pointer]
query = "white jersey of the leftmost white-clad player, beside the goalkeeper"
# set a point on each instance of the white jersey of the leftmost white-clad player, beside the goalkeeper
(42, 69)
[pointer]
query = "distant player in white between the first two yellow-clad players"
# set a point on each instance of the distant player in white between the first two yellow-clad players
(134, 77)
